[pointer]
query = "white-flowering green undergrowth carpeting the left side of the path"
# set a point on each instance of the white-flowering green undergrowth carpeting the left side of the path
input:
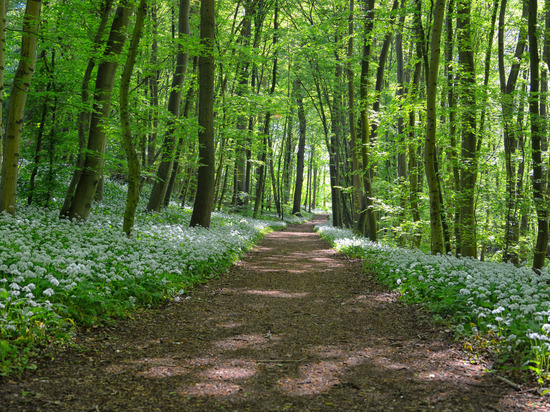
(57, 276)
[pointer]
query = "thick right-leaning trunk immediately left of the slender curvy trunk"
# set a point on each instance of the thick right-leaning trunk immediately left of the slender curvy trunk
(93, 165)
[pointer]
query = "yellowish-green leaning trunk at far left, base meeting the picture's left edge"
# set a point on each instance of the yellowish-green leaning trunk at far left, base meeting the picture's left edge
(16, 108)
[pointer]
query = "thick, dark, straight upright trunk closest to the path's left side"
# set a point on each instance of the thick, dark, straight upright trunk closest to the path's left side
(202, 208)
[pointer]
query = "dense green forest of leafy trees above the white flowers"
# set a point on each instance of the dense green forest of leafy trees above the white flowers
(421, 124)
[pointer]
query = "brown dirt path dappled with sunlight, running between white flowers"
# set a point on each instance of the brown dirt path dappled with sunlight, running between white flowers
(293, 326)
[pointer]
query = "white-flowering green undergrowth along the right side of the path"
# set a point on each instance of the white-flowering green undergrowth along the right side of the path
(494, 307)
